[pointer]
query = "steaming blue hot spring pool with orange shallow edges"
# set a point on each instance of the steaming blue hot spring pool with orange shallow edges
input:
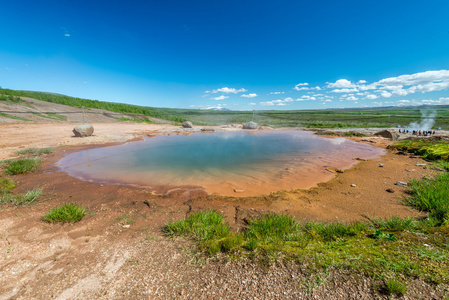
(227, 163)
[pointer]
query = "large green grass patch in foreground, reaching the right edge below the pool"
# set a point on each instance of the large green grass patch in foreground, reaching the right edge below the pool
(380, 247)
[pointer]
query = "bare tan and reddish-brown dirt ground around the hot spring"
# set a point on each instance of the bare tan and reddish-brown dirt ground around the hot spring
(118, 250)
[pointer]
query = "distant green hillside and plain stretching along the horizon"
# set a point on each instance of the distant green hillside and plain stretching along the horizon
(319, 118)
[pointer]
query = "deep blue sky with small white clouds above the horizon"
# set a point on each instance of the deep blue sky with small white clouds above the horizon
(242, 55)
